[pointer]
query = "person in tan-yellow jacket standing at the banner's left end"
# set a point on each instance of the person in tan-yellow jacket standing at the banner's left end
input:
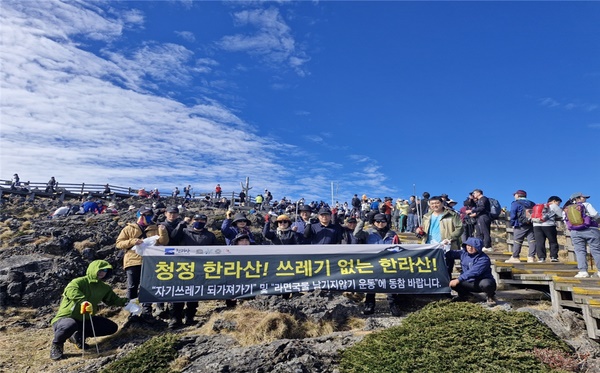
(134, 234)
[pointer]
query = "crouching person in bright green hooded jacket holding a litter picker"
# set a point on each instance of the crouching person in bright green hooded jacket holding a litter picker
(82, 295)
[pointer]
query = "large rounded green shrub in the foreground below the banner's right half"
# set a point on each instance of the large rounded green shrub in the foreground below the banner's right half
(456, 337)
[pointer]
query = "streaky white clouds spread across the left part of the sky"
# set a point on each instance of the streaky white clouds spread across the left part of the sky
(98, 117)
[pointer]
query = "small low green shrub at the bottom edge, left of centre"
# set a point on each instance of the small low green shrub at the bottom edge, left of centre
(154, 356)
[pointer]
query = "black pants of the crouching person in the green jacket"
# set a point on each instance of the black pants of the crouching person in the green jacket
(64, 328)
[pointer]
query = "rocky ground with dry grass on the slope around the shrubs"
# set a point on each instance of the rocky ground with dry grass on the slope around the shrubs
(39, 256)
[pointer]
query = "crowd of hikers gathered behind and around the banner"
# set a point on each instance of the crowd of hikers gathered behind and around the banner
(464, 234)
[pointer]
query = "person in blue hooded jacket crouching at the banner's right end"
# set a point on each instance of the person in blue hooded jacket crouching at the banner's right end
(476, 276)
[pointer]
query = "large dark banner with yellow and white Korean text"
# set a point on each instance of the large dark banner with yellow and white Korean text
(188, 273)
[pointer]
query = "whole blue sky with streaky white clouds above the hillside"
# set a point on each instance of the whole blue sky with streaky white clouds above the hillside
(379, 98)
